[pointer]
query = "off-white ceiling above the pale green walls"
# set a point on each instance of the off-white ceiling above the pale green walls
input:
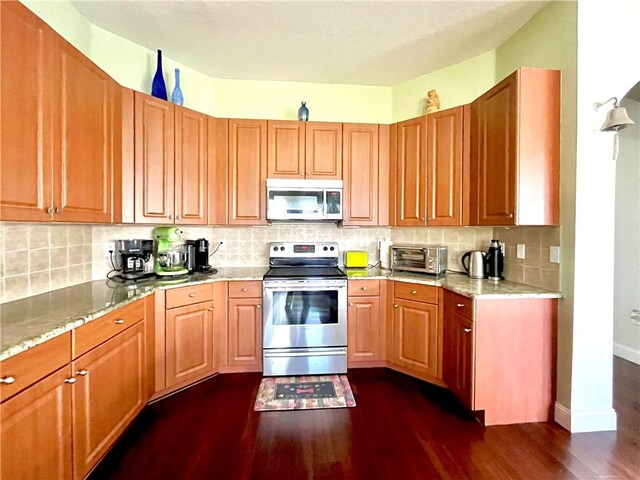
(383, 42)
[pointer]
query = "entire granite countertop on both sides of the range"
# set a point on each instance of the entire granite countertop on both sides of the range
(30, 321)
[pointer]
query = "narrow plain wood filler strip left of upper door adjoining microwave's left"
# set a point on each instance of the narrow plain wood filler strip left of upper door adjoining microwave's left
(218, 133)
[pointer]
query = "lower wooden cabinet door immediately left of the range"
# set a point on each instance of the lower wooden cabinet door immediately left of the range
(244, 332)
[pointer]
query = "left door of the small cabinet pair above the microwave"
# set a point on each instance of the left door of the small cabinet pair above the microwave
(285, 141)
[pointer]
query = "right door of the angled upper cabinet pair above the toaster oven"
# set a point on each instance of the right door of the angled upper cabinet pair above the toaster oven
(444, 167)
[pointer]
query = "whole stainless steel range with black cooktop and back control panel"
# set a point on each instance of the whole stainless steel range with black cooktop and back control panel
(305, 310)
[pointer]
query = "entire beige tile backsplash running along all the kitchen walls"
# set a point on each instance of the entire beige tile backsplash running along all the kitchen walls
(36, 258)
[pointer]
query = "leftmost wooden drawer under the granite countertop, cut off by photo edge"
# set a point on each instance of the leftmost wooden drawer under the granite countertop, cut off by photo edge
(28, 367)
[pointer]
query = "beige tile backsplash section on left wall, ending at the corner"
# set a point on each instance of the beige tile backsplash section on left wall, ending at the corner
(37, 258)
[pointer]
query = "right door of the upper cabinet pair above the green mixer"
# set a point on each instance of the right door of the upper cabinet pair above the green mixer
(191, 159)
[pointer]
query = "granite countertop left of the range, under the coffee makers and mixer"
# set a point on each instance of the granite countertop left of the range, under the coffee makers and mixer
(33, 320)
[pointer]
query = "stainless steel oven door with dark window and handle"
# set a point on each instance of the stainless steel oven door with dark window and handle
(305, 313)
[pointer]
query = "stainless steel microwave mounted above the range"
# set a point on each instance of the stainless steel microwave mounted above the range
(315, 200)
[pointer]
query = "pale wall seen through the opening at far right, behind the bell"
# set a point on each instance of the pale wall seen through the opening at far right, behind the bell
(626, 335)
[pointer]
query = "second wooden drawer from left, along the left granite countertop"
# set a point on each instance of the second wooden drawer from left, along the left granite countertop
(94, 333)
